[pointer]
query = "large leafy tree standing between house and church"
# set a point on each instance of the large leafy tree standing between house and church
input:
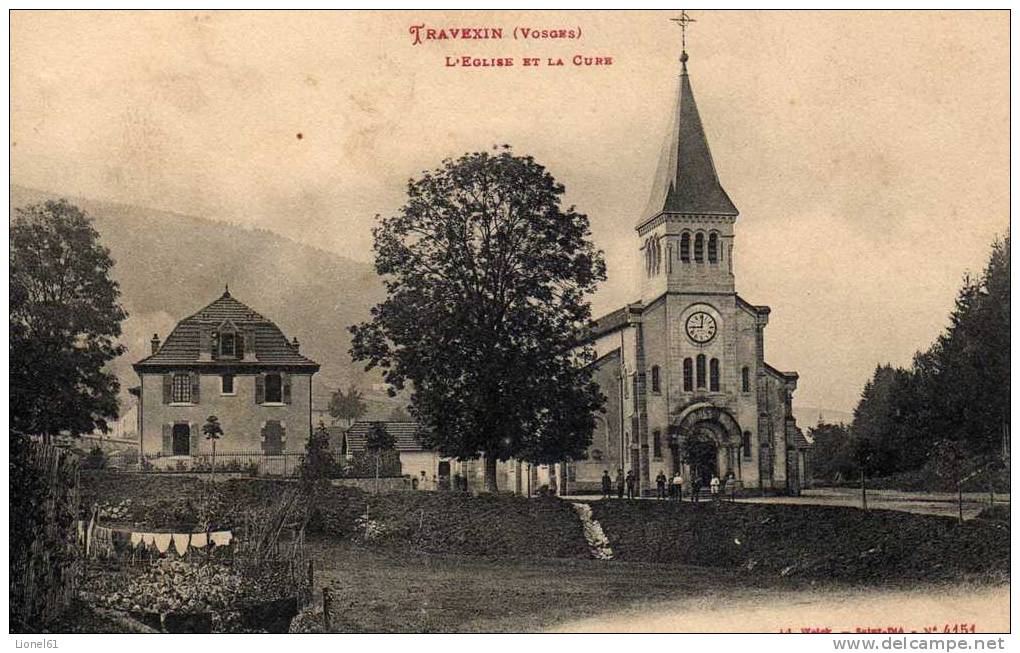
(487, 277)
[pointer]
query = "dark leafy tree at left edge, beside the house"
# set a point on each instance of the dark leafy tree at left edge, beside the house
(65, 323)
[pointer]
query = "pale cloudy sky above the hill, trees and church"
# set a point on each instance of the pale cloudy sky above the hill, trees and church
(869, 153)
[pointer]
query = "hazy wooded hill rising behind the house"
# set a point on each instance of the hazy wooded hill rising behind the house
(171, 266)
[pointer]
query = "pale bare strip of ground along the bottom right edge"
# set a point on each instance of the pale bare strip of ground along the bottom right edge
(988, 609)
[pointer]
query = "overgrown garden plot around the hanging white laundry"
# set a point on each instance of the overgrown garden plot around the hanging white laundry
(256, 582)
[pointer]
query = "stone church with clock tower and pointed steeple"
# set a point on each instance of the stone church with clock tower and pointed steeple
(684, 368)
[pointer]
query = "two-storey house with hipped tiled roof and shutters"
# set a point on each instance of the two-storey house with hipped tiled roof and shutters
(229, 362)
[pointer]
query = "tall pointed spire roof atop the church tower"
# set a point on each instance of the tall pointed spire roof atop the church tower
(686, 181)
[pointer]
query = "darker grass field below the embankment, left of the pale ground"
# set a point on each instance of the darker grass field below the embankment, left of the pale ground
(390, 591)
